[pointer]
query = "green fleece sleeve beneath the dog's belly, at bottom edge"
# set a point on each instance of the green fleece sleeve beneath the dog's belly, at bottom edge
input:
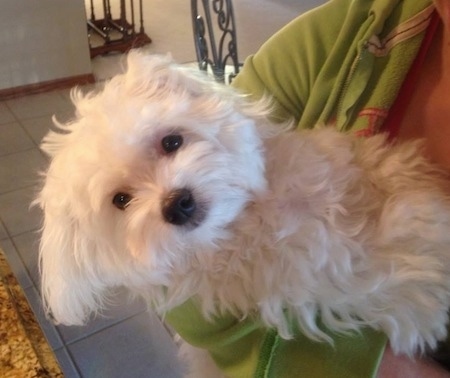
(243, 348)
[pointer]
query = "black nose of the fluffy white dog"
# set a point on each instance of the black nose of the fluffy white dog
(178, 207)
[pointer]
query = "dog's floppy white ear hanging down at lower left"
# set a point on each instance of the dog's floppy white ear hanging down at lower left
(69, 285)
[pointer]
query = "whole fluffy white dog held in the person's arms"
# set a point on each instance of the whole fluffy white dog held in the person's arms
(176, 186)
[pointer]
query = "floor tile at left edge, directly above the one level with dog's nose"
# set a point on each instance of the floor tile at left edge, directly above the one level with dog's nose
(21, 169)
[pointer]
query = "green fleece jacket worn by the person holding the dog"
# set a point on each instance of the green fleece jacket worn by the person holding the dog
(342, 63)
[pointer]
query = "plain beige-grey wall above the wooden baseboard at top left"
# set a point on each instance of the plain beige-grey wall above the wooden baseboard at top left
(42, 40)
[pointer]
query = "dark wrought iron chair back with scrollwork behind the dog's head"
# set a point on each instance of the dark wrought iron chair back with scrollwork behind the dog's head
(215, 39)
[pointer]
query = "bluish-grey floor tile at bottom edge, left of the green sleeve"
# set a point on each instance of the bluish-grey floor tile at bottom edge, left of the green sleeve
(138, 347)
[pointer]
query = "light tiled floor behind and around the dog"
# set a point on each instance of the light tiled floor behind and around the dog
(129, 341)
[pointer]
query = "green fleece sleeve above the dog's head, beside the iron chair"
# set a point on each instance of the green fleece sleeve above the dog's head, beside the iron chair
(287, 66)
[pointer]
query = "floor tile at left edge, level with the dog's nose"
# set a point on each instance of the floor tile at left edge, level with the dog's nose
(16, 214)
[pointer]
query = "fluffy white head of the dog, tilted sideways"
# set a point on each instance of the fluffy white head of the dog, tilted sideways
(153, 169)
